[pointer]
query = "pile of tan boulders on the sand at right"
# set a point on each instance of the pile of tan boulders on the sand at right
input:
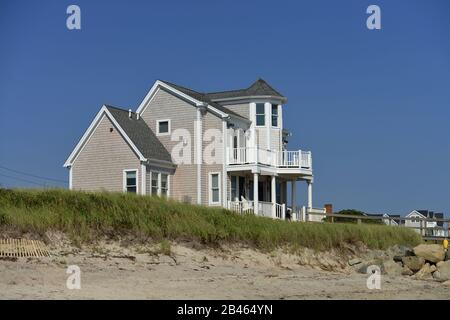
(426, 261)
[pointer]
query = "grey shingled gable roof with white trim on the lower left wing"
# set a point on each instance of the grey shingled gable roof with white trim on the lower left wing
(134, 131)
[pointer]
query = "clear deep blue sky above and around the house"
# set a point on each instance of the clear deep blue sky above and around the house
(372, 105)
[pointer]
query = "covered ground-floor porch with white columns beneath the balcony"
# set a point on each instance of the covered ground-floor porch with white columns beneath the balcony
(266, 194)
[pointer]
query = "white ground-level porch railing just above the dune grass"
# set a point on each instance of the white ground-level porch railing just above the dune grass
(265, 209)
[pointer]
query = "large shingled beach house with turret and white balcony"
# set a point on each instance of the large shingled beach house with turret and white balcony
(166, 147)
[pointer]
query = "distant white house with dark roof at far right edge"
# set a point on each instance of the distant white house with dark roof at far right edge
(430, 228)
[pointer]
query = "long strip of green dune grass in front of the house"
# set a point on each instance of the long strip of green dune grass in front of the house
(85, 217)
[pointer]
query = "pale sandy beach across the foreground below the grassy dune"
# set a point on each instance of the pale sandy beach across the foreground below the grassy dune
(196, 274)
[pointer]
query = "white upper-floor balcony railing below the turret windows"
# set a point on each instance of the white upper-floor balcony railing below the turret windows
(281, 159)
